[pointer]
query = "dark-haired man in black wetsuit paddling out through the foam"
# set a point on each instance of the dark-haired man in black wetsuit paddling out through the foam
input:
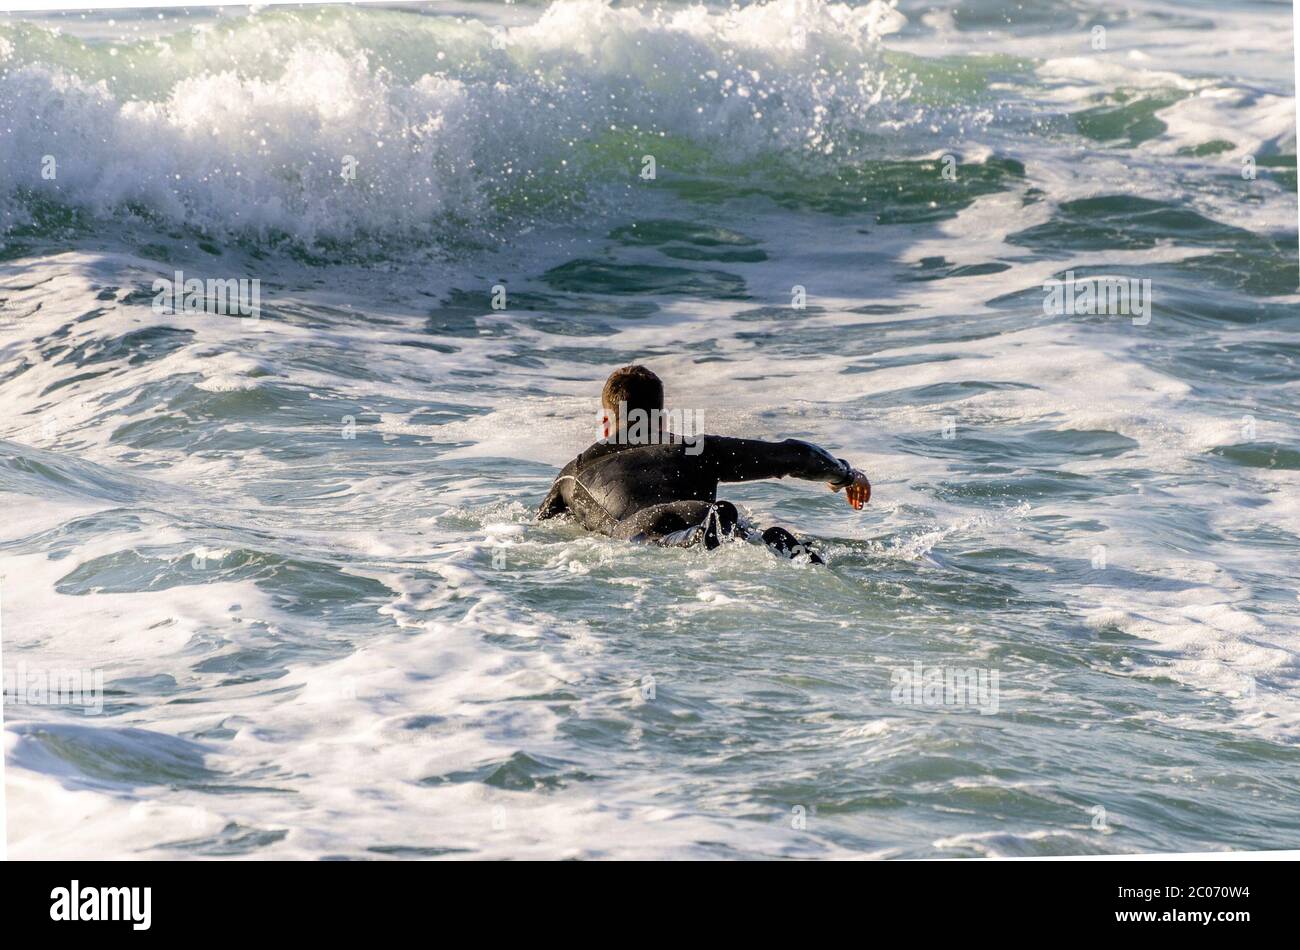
(644, 484)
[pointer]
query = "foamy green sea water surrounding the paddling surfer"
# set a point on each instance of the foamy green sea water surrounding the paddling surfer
(301, 550)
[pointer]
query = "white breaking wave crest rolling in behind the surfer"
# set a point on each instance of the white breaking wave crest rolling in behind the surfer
(441, 120)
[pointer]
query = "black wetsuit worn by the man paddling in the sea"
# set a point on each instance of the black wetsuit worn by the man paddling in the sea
(666, 493)
